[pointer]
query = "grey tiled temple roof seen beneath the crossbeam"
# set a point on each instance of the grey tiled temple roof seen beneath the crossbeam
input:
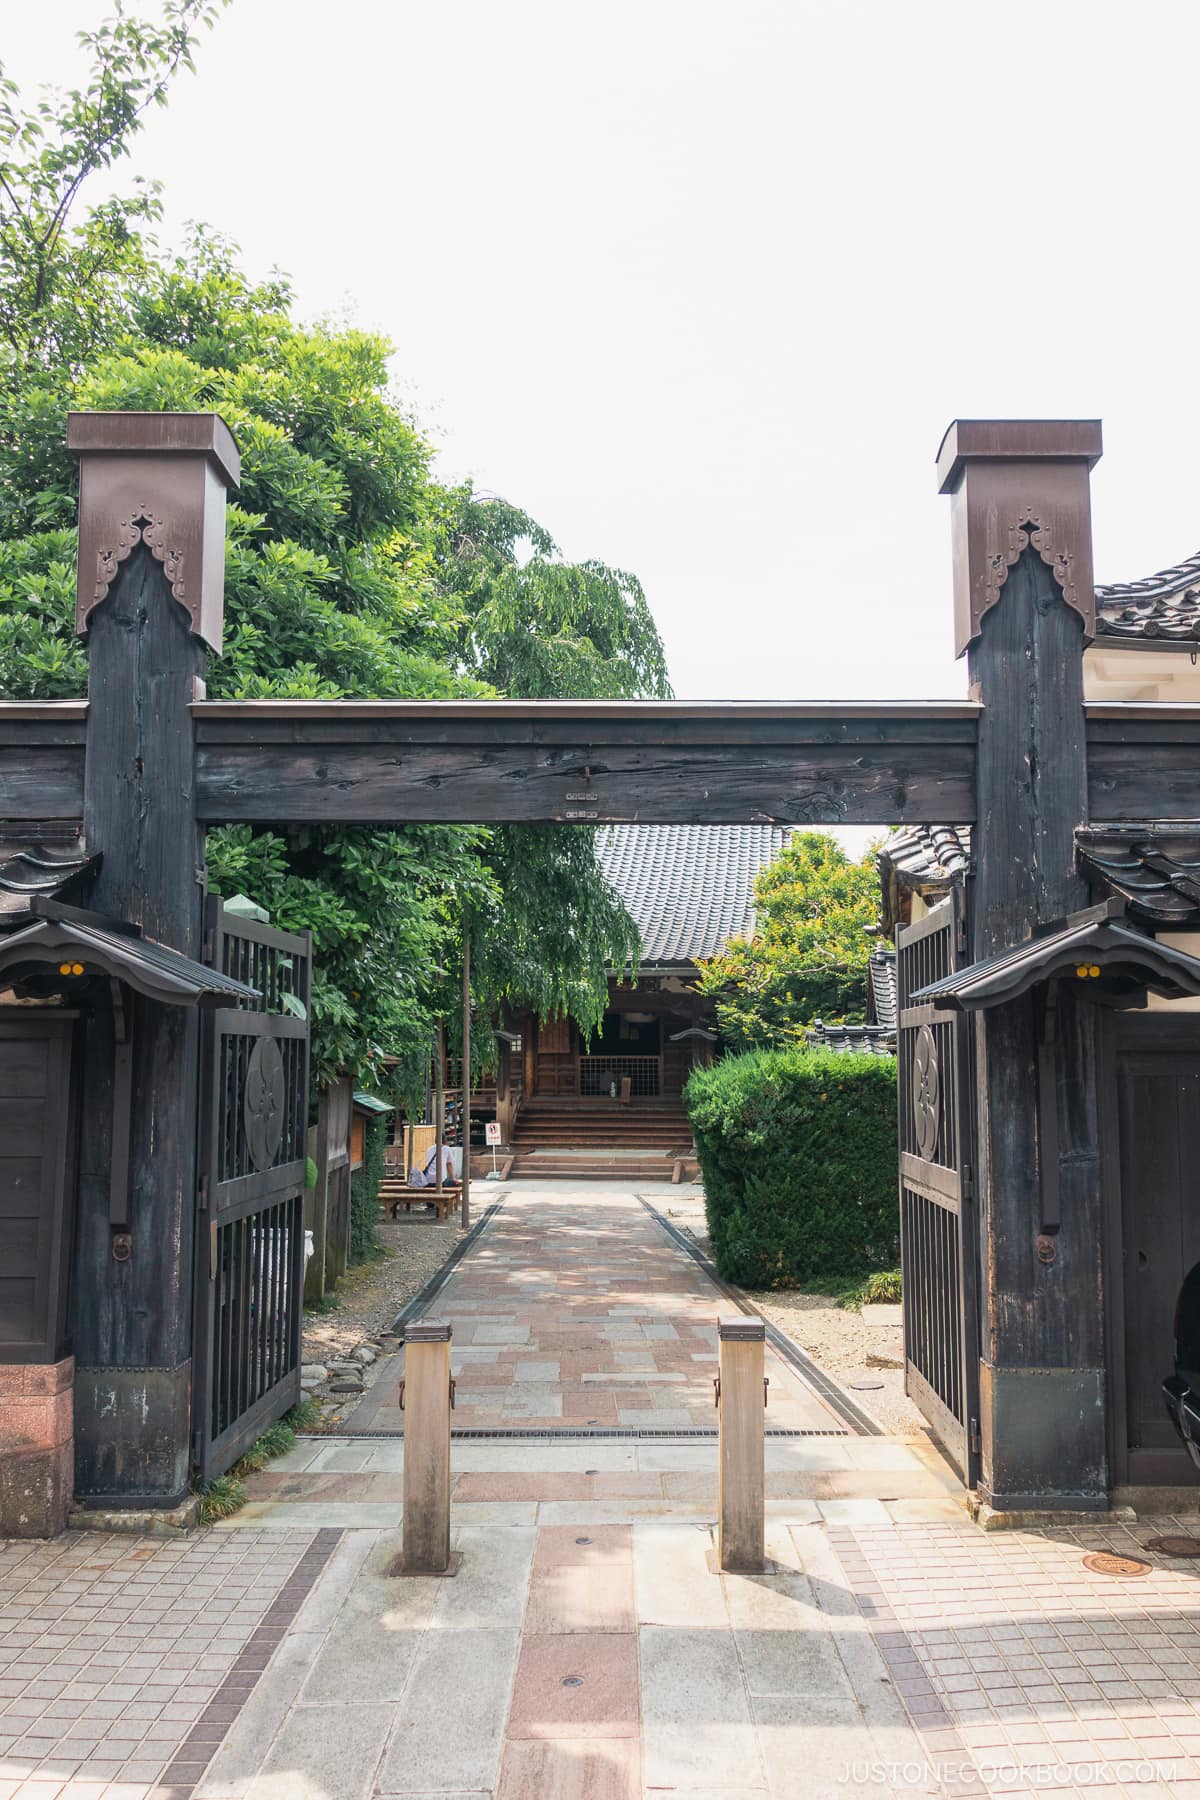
(690, 888)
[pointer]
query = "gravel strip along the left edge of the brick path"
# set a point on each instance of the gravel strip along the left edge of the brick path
(373, 1293)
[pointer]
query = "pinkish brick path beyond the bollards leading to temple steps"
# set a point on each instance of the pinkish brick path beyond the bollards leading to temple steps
(584, 1313)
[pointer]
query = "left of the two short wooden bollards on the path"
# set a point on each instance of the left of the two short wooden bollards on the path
(427, 1398)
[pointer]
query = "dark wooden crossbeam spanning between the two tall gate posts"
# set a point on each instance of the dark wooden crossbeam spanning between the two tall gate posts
(577, 762)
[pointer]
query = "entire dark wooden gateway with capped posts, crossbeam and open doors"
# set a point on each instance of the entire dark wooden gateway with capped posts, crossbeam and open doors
(154, 1052)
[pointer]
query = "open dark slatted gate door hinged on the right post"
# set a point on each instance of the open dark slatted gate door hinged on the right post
(938, 1232)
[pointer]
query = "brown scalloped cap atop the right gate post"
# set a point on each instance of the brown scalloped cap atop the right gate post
(1019, 485)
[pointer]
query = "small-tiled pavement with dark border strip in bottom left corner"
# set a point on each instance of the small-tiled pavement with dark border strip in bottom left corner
(125, 1660)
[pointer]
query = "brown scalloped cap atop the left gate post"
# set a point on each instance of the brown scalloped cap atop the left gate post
(156, 480)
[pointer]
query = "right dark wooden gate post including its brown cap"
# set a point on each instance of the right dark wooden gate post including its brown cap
(1025, 609)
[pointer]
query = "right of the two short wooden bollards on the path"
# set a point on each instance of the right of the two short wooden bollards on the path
(742, 1398)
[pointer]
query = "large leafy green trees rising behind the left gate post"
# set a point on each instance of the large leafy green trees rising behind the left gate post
(350, 571)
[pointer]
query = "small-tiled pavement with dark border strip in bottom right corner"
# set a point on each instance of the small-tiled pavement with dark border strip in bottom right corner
(1030, 1673)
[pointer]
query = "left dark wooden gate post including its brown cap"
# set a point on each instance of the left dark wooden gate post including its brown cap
(152, 564)
